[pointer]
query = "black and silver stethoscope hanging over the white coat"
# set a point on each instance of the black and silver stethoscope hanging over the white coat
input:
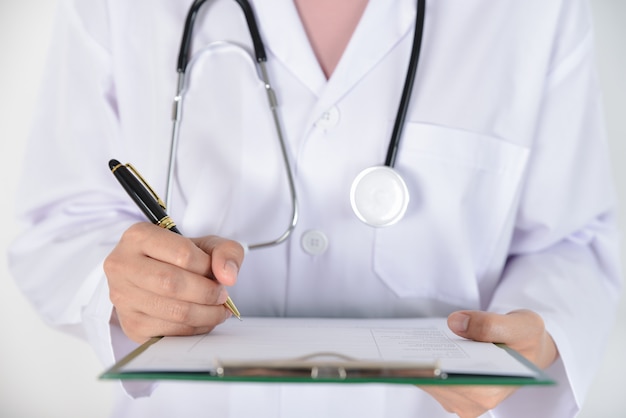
(379, 195)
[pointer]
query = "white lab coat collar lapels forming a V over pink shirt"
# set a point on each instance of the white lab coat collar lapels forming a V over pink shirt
(382, 26)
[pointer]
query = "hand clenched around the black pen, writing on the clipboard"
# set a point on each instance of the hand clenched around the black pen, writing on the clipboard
(162, 283)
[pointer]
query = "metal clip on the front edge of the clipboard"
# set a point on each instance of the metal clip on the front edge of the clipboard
(328, 366)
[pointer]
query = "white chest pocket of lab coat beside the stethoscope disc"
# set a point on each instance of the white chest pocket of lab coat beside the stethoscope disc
(463, 187)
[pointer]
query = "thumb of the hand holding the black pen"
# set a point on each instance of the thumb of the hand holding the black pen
(226, 257)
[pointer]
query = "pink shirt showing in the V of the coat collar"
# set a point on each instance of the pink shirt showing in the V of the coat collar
(329, 24)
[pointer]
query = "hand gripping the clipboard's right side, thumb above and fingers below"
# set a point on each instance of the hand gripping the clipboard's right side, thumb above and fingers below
(522, 330)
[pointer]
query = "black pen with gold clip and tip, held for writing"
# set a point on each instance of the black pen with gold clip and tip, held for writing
(150, 204)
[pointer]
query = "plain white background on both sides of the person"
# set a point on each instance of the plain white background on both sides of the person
(44, 373)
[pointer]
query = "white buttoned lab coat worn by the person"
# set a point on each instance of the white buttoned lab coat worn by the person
(503, 152)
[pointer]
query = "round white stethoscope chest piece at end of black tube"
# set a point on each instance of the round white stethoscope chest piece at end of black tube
(379, 196)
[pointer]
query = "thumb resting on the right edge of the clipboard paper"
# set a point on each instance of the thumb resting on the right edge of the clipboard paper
(515, 329)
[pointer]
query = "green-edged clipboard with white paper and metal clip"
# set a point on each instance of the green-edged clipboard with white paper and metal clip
(310, 350)
